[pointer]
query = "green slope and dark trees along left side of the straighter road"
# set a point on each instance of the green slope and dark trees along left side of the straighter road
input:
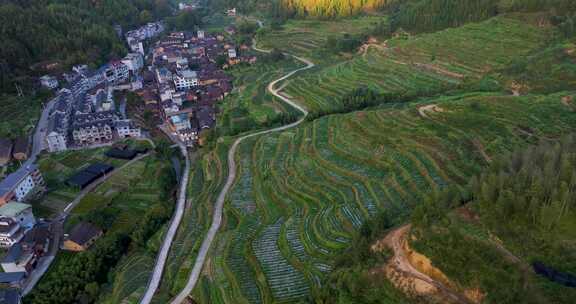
(130, 207)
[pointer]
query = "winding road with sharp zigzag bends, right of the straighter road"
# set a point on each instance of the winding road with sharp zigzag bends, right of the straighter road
(217, 217)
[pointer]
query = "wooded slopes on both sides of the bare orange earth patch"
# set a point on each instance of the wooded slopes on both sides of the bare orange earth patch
(508, 236)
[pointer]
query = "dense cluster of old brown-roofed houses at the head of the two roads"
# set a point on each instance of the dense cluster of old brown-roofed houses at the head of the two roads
(185, 83)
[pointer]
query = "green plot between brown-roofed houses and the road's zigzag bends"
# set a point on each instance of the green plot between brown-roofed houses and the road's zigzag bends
(250, 102)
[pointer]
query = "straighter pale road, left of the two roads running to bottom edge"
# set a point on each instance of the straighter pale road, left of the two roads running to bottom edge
(167, 243)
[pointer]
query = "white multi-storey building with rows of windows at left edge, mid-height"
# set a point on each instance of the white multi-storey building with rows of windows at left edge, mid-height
(18, 185)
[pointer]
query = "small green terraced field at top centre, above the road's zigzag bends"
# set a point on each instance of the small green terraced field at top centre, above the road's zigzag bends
(308, 37)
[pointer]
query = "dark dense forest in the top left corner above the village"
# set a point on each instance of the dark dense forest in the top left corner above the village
(68, 31)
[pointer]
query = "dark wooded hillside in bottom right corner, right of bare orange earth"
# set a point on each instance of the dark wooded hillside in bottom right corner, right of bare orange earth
(521, 214)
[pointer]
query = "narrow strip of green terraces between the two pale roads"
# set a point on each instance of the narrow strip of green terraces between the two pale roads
(208, 175)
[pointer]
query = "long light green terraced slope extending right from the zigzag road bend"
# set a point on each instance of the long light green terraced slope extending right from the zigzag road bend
(428, 62)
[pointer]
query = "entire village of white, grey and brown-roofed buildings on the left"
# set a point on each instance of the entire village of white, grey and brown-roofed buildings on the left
(179, 79)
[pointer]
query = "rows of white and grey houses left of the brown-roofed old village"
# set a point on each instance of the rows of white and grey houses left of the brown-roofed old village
(85, 113)
